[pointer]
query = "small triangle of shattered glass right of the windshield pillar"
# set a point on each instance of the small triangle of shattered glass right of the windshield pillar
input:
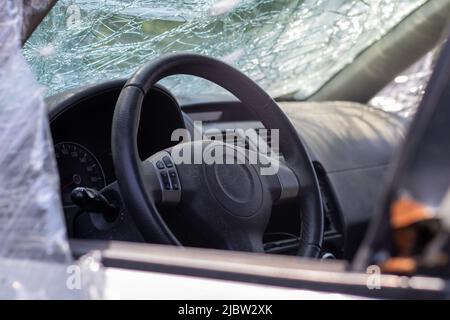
(403, 95)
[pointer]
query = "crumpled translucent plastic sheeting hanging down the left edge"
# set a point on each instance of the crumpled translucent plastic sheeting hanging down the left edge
(34, 252)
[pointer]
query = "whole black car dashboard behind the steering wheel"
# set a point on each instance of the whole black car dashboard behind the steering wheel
(350, 144)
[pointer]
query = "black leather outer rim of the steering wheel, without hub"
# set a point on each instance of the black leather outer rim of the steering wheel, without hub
(128, 166)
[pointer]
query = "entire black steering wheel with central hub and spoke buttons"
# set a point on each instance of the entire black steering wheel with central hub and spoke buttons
(230, 205)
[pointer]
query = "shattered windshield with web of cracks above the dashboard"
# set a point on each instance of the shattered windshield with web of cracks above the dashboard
(287, 47)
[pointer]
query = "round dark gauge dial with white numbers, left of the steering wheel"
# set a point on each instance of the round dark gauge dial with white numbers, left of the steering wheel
(77, 167)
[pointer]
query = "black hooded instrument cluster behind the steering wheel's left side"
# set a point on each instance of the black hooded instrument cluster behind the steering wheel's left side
(81, 134)
